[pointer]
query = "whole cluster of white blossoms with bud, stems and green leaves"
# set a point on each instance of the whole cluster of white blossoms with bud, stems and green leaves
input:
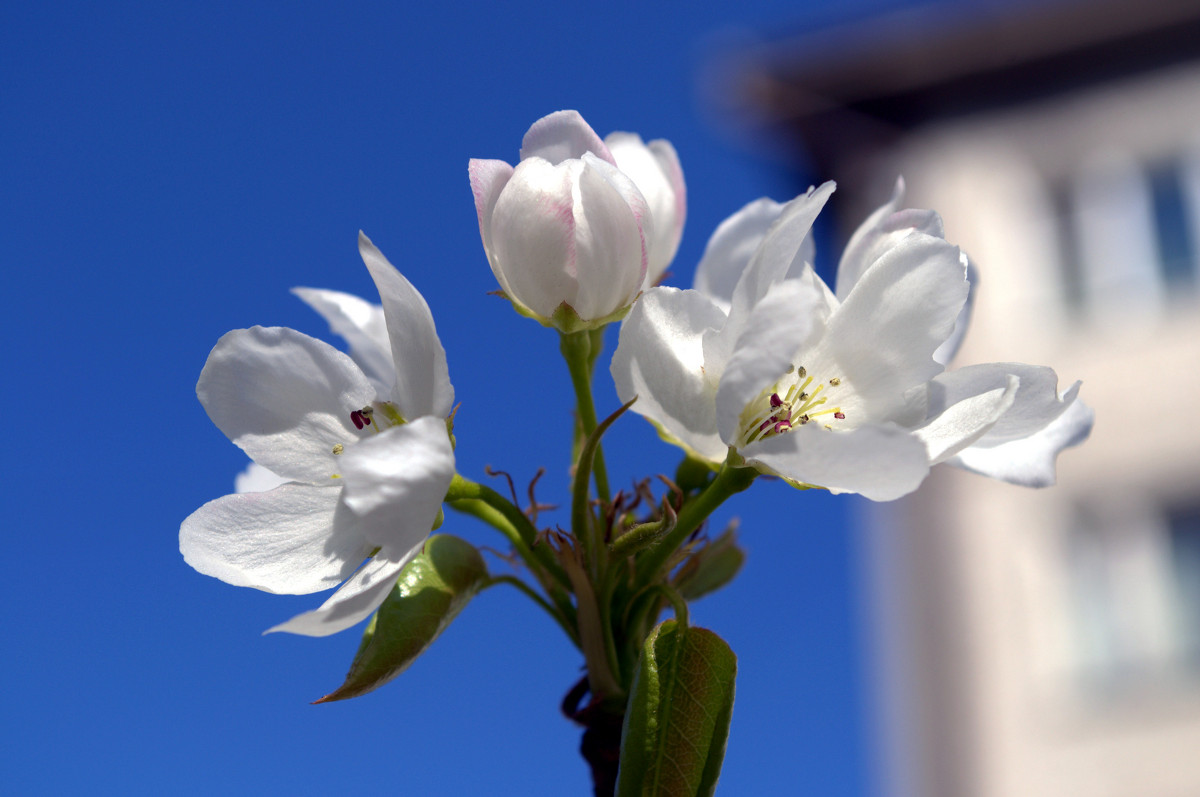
(759, 369)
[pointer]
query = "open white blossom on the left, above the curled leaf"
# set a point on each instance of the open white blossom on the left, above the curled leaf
(367, 470)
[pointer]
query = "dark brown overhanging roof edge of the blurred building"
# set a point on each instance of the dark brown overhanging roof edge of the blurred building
(938, 61)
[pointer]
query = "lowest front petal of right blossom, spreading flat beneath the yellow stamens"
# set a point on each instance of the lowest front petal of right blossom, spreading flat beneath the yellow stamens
(880, 463)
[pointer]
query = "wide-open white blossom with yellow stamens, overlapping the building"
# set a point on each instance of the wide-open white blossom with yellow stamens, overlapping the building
(843, 391)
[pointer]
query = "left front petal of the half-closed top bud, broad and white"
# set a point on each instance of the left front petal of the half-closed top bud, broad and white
(533, 236)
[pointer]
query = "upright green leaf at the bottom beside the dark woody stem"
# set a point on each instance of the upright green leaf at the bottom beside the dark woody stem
(677, 721)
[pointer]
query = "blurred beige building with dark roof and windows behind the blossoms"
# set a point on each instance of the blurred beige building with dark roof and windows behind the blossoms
(1035, 643)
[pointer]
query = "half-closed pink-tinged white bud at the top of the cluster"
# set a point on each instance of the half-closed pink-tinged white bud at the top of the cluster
(571, 231)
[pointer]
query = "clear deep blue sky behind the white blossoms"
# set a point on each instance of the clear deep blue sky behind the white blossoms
(169, 173)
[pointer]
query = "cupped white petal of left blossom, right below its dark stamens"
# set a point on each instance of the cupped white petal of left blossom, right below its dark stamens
(406, 471)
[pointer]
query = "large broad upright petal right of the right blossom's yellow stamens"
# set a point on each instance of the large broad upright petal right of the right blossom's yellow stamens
(885, 334)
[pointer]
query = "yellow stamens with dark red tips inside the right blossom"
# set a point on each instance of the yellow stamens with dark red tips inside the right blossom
(782, 409)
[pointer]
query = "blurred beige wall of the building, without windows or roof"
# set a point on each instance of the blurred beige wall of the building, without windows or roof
(983, 673)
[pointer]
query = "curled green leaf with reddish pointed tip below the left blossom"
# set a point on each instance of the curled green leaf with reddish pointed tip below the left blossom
(430, 594)
